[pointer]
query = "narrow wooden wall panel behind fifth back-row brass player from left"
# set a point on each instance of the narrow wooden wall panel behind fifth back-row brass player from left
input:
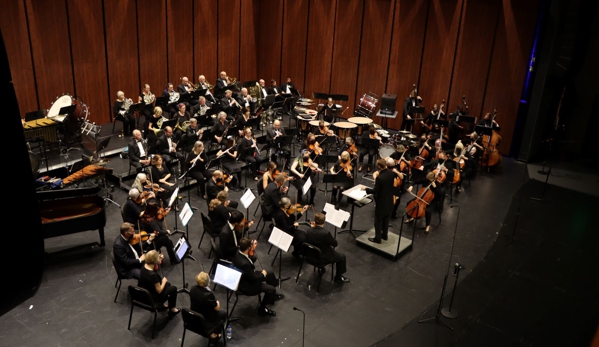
(205, 21)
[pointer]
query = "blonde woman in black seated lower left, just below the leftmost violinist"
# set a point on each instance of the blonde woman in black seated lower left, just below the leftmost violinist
(158, 286)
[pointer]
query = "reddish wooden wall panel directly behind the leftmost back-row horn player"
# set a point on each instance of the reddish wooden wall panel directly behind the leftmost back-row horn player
(121, 47)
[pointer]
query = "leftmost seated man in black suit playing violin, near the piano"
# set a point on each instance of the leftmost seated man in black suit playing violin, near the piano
(129, 258)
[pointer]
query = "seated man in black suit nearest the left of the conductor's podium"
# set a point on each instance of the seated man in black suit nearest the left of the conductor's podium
(321, 238)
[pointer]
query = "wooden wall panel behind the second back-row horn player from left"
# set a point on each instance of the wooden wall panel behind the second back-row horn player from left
(151, 23)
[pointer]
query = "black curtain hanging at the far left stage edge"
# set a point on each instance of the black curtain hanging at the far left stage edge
(22, 238)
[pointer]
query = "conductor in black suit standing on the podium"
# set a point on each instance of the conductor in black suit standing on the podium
(383, 196)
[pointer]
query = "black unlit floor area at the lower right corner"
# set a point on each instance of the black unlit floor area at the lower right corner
(539, 290)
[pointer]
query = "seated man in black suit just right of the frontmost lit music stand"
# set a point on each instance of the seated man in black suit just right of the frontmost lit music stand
(255, 282)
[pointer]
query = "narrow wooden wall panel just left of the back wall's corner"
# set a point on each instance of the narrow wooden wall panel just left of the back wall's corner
(250, 30)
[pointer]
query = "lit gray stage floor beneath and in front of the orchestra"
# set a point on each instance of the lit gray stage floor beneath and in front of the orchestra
(74, 305)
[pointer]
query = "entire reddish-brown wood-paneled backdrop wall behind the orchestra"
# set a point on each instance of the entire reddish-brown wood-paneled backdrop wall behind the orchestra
(449, 48)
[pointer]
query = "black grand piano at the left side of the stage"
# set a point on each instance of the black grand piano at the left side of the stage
(69, 211)
